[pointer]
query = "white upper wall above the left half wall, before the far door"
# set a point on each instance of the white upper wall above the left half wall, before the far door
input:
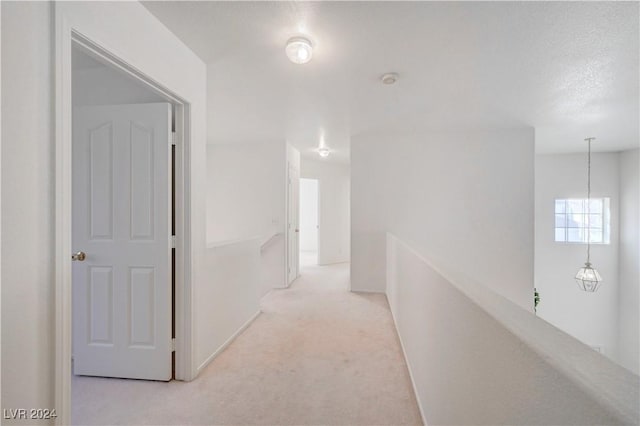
(245, 190)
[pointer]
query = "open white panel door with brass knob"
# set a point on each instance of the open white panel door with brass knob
(121, 221)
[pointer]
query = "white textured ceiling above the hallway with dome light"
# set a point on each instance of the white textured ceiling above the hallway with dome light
(568, 69)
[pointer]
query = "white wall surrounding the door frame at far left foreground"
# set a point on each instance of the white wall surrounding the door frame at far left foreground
(28, 198)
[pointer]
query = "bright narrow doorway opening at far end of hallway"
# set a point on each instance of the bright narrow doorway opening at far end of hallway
(309, 221)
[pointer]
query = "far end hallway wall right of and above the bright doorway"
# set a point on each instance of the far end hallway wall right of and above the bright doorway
(334, 233)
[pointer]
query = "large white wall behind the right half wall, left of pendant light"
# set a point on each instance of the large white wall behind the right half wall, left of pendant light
(464, 200)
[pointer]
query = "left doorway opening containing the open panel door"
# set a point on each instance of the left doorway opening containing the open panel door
(127, 227)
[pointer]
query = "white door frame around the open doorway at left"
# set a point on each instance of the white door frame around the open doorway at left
(66, 38)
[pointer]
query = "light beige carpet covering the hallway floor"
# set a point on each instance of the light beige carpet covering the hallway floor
(317, 355)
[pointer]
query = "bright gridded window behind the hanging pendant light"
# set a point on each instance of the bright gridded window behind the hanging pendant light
(574, 225)
